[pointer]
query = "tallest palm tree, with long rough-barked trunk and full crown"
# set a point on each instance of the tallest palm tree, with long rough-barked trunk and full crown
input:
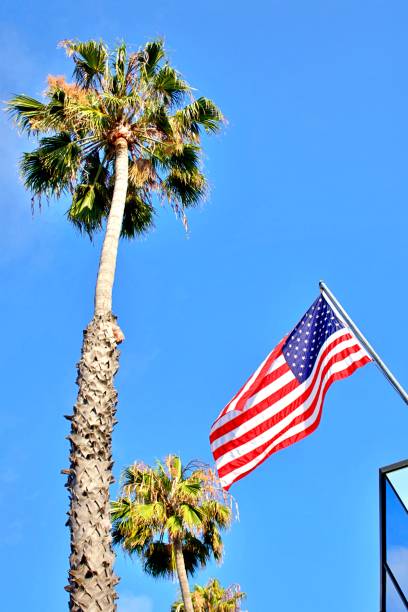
(123, 136)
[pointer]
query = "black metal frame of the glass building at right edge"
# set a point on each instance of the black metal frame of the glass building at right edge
(384, 567)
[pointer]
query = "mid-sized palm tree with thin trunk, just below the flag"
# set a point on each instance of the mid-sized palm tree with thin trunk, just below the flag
(171, 517)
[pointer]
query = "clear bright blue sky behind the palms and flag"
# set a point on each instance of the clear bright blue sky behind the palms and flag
(309, 180)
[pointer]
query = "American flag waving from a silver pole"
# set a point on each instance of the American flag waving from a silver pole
(282, 401)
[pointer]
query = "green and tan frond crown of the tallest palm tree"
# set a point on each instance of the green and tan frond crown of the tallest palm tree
(136, 96)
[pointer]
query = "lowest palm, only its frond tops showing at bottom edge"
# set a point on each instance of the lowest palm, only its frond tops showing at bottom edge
(213, 598)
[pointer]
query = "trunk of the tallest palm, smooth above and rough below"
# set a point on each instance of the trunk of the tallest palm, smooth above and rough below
(91, 577)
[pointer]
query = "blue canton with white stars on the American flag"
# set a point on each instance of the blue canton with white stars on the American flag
(305, 341)
